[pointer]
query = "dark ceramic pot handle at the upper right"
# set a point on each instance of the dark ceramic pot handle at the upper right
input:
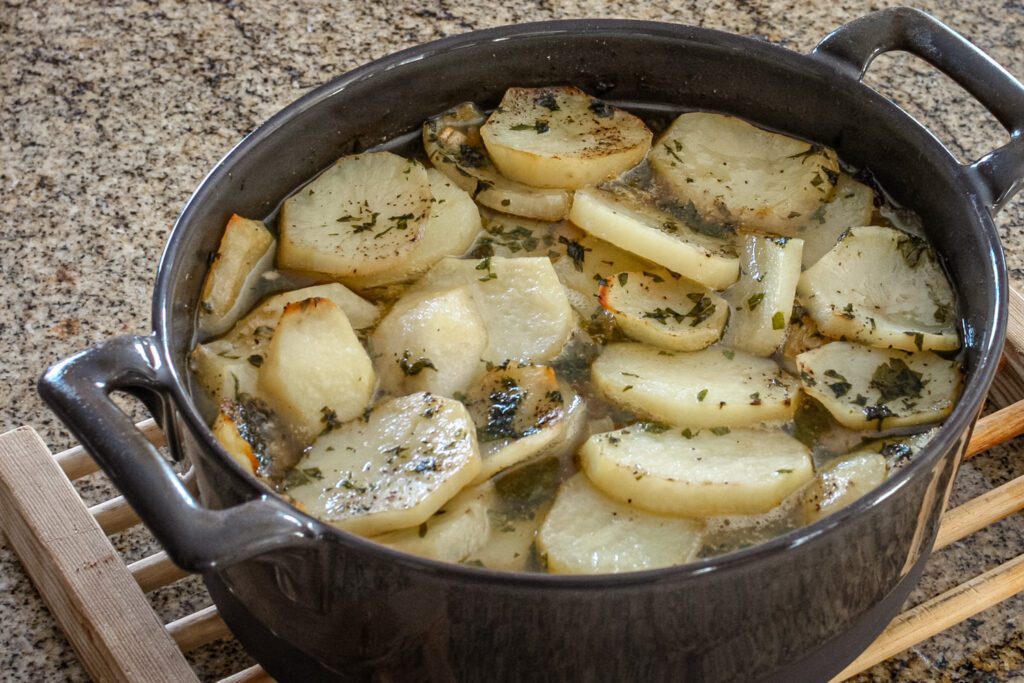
(999, 176)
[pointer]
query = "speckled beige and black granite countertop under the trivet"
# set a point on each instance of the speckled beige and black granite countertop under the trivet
(110, 116)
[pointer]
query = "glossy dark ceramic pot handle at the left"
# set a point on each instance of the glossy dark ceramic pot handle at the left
(196, 538)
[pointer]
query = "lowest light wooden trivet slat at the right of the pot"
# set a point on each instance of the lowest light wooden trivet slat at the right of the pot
(941, 613)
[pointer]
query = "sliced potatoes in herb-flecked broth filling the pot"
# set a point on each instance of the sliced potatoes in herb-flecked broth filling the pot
(554, 341)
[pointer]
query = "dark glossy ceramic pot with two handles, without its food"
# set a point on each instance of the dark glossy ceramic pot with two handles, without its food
(311, 603)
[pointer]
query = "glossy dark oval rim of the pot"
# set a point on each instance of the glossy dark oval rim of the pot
(959, 424)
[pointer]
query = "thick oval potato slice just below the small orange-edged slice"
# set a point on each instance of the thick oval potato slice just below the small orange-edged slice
(715, 388)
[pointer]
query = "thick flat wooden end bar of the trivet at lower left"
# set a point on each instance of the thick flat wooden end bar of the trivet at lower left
(79, 575)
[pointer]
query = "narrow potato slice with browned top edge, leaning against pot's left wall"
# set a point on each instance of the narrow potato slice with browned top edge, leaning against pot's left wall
(246, 252)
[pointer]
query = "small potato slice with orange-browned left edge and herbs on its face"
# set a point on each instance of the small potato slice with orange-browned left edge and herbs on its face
(675, 315)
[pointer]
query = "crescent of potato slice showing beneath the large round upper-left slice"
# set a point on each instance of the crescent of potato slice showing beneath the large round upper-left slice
(454, 224)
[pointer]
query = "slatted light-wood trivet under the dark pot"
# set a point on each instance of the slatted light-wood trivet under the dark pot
(100, 602)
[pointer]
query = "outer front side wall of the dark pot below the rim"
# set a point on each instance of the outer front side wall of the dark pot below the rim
(363, 616)
